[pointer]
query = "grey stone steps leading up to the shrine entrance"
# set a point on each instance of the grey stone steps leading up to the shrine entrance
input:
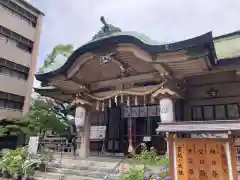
(93, 168)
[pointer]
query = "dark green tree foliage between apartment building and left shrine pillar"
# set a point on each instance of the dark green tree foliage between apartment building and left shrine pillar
(41, 117)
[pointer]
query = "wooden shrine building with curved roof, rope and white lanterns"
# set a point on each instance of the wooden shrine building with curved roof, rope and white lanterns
(128, 86)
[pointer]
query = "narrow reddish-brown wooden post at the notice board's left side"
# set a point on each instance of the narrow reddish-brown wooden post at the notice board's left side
(171, 155)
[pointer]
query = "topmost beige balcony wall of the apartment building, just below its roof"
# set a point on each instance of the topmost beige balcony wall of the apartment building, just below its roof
(16, 23)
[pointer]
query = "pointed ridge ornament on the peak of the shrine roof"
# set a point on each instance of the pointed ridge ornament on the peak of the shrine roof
(106, 30)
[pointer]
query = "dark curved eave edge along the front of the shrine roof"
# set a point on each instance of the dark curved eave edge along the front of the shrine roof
(200, 40)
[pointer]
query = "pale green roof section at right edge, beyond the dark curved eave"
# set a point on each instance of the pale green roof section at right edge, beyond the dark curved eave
(227, 47)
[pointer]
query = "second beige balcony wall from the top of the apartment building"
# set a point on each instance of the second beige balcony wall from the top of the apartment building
(11, 52)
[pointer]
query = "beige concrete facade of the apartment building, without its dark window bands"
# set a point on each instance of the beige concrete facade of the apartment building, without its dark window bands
(12, 53)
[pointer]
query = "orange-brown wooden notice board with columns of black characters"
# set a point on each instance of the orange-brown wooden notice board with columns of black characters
(201, 159)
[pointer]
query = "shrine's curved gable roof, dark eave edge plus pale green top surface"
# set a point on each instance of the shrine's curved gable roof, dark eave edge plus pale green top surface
(136, 39)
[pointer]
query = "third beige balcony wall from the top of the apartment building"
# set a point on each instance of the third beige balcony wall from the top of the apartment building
(13, 85)
